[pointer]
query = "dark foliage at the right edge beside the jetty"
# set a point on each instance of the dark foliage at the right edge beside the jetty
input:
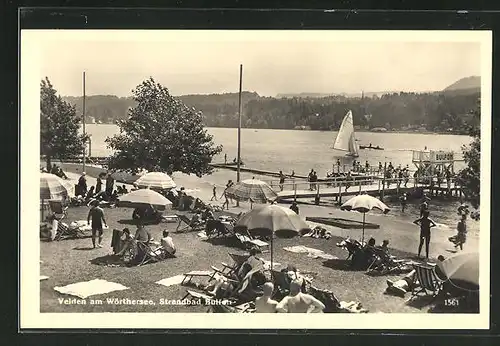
(470, 176)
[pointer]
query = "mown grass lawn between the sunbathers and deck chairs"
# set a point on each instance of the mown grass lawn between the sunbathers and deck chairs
(70, 261)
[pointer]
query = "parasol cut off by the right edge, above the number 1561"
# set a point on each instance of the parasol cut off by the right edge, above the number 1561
(462, 270)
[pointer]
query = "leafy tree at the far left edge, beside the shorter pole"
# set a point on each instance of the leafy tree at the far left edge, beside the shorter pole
(59, 137)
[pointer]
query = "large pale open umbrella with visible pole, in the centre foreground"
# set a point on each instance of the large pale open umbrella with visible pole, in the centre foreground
(274, 220)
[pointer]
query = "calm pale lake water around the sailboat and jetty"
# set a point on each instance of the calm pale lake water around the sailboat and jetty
(301, 151)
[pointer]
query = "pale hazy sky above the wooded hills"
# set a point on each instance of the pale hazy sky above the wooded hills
(273, 62)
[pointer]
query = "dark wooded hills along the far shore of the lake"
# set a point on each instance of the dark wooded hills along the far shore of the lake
(447, 111)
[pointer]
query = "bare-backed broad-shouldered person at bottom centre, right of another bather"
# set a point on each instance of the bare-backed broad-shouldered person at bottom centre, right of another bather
(298, 302)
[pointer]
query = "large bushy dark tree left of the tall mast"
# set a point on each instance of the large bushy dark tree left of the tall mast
(162, 134)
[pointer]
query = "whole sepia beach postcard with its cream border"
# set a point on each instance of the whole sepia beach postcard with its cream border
(183, 173)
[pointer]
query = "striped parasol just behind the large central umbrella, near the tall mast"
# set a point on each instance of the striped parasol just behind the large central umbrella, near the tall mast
(253, 190)
